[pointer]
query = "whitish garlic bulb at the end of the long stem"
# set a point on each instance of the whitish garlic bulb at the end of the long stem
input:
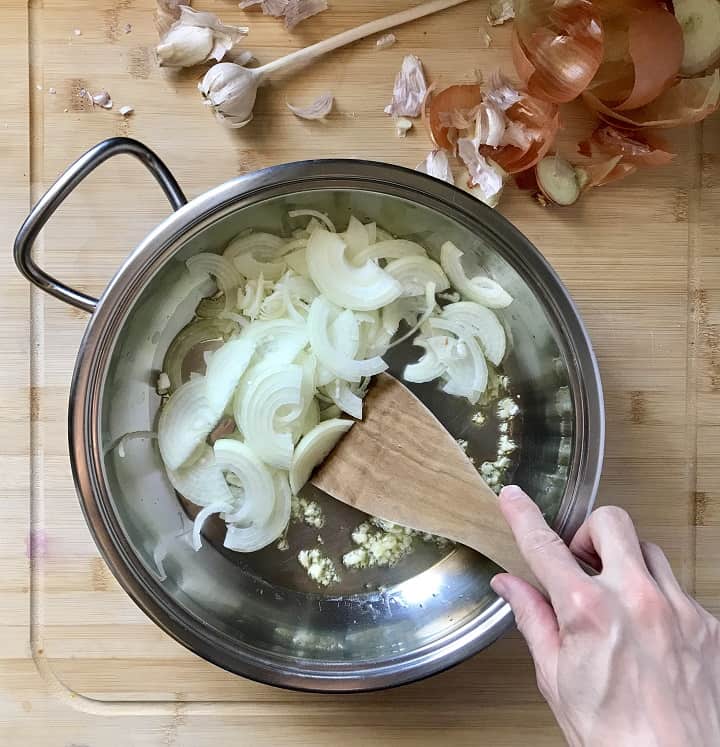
(231, 90)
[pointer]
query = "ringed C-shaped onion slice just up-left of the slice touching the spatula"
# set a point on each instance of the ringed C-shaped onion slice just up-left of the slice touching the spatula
(264, 391)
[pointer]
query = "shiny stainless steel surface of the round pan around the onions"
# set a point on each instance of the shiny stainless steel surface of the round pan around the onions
(257, 614)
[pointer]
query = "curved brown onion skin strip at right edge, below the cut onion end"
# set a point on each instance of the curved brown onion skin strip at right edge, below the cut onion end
(689, 100)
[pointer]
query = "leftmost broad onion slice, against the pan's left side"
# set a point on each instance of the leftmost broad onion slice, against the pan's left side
(185, 421)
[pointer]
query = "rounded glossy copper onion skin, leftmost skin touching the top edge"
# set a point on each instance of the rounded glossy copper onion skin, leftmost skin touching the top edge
(562, 42)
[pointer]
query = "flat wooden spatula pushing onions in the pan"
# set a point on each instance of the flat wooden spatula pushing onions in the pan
(400, 464)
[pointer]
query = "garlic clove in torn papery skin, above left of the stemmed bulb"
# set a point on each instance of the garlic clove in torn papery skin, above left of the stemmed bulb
(197, 37)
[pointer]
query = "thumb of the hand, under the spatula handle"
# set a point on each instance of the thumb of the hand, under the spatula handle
(535, 619)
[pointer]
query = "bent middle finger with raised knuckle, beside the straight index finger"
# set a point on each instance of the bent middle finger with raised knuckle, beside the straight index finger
(608, 538)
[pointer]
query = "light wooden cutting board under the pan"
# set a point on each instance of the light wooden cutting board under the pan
(79, 664)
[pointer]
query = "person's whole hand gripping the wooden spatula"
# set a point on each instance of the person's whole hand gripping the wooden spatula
(624, 657)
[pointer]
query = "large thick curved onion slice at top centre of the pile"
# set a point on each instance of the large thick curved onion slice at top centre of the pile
(361, 288)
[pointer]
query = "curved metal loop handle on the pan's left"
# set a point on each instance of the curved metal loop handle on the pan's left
(65, 184)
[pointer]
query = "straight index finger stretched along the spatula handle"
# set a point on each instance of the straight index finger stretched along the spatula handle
(546, 554)
